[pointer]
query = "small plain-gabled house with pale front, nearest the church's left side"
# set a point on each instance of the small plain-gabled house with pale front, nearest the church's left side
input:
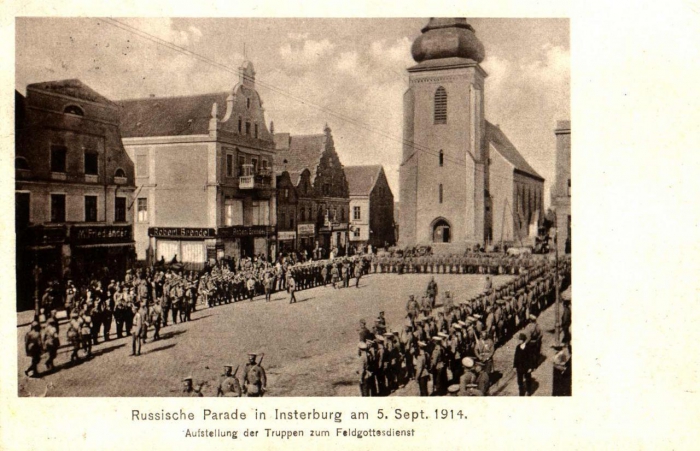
(371, 206)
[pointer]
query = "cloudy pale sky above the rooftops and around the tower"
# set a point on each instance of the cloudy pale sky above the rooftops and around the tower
(347, 73)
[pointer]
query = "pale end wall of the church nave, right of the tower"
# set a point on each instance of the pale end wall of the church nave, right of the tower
(501, 176)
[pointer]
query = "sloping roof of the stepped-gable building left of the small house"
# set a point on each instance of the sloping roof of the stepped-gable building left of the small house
(302, 152)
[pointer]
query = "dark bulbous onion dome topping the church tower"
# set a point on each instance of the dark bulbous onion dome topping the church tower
(447, 38)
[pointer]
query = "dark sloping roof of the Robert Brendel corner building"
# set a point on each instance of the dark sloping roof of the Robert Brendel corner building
(169, 116)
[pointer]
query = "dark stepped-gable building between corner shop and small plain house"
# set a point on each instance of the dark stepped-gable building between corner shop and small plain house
(322, 211)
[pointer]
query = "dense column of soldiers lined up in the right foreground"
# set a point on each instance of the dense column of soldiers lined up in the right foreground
(450, 349)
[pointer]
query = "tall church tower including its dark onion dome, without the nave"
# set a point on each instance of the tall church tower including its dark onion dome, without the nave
(444, 173)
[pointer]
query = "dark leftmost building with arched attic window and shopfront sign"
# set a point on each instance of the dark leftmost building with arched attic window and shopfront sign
(74, 186)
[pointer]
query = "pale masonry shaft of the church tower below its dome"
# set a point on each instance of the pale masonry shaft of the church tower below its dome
(458, 175)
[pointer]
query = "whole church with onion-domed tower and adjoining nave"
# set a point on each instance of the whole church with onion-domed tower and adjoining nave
(446, 174)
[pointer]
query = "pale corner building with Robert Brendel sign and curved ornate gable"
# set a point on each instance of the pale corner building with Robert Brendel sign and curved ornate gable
(204, 172)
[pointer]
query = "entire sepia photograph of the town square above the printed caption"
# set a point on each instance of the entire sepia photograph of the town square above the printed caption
(293, 207)
